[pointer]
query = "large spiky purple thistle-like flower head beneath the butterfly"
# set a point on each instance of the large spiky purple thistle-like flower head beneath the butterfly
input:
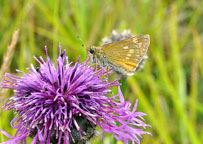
(50, 104)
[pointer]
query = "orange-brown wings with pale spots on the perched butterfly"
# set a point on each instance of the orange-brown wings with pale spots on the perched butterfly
(127, 53)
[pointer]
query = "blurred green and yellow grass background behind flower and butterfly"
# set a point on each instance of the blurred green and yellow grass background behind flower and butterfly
(170, 87)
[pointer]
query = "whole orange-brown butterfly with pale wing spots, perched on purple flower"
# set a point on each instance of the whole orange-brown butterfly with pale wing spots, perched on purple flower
(124, 56)
